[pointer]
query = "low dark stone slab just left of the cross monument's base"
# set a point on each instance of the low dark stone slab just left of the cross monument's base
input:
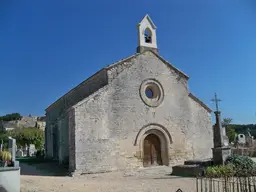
(187, 170)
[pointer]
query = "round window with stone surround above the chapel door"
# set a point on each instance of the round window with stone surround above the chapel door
(151, 92)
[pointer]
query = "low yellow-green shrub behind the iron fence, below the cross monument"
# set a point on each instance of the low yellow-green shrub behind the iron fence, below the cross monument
(220, 171)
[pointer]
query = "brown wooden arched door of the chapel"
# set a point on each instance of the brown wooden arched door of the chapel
(152, 151)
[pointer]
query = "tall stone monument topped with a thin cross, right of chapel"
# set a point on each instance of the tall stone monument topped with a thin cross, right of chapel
(220, 151)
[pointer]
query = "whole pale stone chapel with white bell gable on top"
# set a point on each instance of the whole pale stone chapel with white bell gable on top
(137, 112)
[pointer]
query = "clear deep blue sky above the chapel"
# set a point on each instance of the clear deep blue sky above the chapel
(48, 47)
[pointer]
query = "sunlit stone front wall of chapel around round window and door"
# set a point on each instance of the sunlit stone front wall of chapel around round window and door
(107, 123)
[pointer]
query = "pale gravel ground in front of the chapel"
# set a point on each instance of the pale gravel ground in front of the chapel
(148, 180)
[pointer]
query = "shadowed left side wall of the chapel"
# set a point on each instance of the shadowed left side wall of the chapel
(57, 118)
